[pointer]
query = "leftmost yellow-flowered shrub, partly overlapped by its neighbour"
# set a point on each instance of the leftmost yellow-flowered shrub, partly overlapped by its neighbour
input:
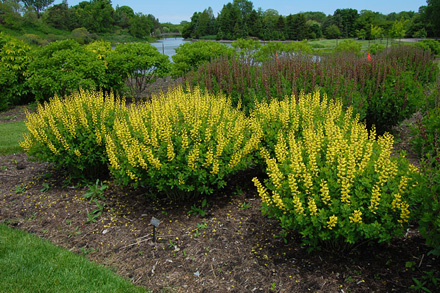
(70, 132)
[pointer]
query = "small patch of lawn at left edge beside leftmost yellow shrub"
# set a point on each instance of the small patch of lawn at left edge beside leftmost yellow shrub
(10, 134)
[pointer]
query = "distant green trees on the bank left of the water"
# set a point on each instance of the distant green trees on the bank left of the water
(95, 16)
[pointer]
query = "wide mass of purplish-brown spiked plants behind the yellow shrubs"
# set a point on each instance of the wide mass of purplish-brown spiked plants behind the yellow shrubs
(384, 90)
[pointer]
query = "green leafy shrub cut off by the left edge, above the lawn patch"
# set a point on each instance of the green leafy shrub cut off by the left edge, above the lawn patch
(14, 60)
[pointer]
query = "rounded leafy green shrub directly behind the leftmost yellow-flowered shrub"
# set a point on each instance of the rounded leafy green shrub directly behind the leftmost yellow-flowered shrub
(63, 67)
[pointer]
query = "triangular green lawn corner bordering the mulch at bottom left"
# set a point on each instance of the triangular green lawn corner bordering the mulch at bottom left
(31, 264)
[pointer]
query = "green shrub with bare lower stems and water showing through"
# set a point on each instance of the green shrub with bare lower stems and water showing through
(131, 67)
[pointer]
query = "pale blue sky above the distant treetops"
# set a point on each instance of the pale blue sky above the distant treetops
(175, 11)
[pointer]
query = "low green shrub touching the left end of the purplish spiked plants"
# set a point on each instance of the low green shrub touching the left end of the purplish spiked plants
(189, 56)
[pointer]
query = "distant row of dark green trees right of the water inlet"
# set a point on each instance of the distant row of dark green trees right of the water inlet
(239, 19)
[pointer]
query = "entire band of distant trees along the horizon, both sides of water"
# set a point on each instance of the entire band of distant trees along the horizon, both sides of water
(237, 19)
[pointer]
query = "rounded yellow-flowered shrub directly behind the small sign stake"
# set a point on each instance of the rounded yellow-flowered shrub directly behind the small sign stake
(181, 143)
